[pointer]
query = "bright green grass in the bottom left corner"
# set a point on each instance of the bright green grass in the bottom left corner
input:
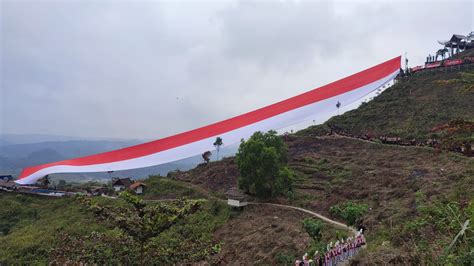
(34, 224)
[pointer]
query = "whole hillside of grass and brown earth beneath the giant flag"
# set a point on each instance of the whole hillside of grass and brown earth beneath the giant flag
(418, 198)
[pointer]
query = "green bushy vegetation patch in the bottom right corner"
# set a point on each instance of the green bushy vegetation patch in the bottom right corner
(446, 221)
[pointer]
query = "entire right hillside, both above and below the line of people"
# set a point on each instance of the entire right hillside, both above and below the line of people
(413, 192)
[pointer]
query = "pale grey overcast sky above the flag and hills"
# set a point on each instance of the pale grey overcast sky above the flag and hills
(148, 69)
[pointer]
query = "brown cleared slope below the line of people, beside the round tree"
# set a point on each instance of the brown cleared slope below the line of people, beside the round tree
(390, 179)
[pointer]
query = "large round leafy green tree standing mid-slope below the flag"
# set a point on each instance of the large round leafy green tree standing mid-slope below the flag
(262, 163)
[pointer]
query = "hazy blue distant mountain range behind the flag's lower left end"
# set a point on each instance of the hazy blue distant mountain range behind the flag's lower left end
(19, 151)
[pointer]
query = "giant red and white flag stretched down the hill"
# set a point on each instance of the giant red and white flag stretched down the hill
(300, 108)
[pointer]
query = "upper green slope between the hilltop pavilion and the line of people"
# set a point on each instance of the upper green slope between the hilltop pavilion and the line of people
(409, 109)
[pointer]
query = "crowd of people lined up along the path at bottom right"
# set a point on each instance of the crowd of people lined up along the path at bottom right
(336, 253)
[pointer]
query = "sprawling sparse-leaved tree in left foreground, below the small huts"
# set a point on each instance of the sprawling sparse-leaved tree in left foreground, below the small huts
(137, 222)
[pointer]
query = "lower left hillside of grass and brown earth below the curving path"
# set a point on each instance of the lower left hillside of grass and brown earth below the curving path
(33, 227)
